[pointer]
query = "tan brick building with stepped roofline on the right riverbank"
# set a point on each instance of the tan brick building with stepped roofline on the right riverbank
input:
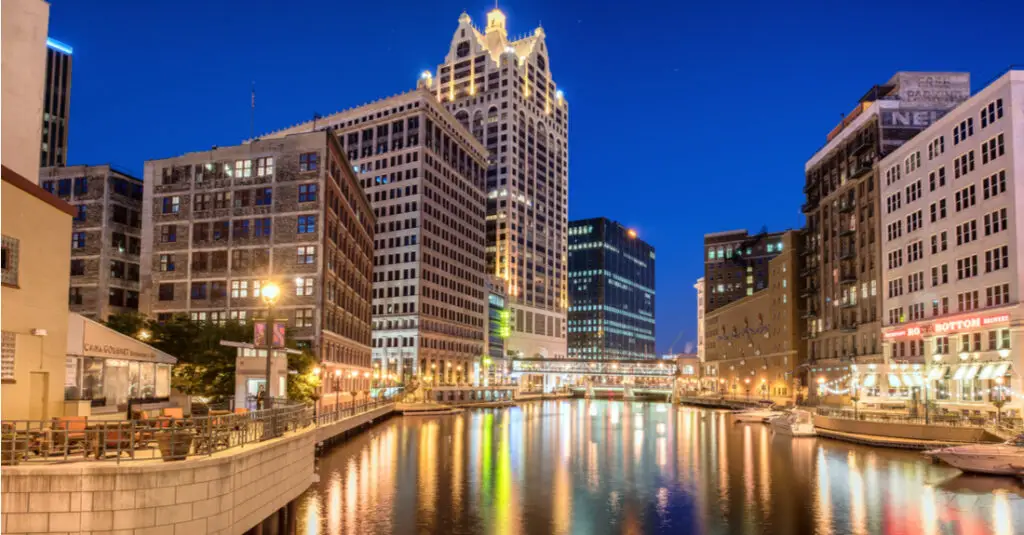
(753, 346)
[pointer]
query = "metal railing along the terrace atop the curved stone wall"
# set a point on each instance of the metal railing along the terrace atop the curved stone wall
(71, 440)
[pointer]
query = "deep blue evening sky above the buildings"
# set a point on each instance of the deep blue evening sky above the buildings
(685, 119)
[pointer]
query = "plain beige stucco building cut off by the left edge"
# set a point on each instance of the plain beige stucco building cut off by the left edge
(36, 227)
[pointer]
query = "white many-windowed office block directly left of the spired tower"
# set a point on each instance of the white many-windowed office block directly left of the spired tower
(423, 174)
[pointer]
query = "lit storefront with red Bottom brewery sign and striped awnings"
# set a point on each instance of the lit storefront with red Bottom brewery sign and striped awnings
(966, 364)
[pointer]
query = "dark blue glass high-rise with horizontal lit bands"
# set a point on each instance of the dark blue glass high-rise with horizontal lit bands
(612, 293)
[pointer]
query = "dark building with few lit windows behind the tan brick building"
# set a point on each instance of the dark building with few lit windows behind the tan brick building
(737, 265)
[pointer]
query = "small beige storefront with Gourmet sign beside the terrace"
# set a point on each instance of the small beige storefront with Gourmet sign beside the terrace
(109, 369)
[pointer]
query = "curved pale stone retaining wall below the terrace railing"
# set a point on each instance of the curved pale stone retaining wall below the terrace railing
(230, 492)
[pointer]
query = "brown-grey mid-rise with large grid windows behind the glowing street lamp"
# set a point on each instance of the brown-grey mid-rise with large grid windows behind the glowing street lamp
(220, 224)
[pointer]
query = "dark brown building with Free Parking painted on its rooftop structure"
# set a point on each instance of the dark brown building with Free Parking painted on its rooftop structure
(843, 268)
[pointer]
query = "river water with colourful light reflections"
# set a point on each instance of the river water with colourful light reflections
(603, 467)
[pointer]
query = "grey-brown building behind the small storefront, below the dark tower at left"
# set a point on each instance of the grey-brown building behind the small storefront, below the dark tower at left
(106, 239)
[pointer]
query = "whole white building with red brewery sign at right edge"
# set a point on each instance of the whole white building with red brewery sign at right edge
(952, 283)
